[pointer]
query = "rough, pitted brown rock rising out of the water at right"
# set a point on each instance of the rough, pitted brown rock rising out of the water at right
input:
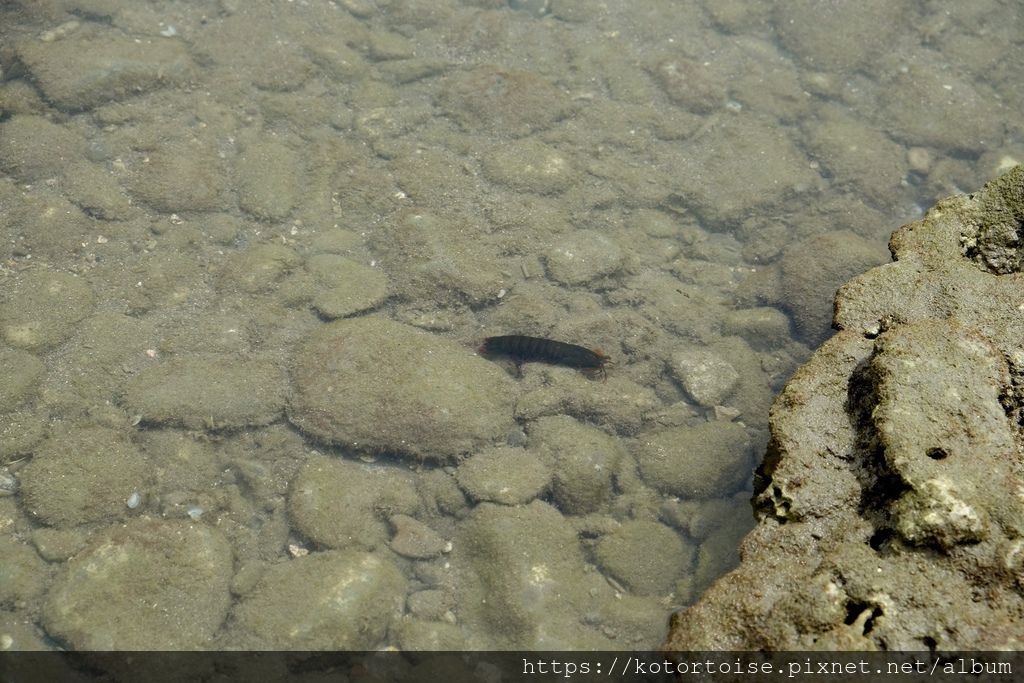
(889, 502)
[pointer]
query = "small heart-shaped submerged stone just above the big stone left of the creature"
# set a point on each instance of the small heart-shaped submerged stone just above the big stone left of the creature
(346, 287)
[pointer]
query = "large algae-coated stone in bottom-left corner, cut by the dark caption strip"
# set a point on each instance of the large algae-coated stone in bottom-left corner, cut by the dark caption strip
(150, 585)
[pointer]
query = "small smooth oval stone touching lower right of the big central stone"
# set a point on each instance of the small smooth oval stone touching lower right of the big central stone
(504, 475)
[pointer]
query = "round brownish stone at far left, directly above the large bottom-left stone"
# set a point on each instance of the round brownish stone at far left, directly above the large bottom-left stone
(83, 476)
